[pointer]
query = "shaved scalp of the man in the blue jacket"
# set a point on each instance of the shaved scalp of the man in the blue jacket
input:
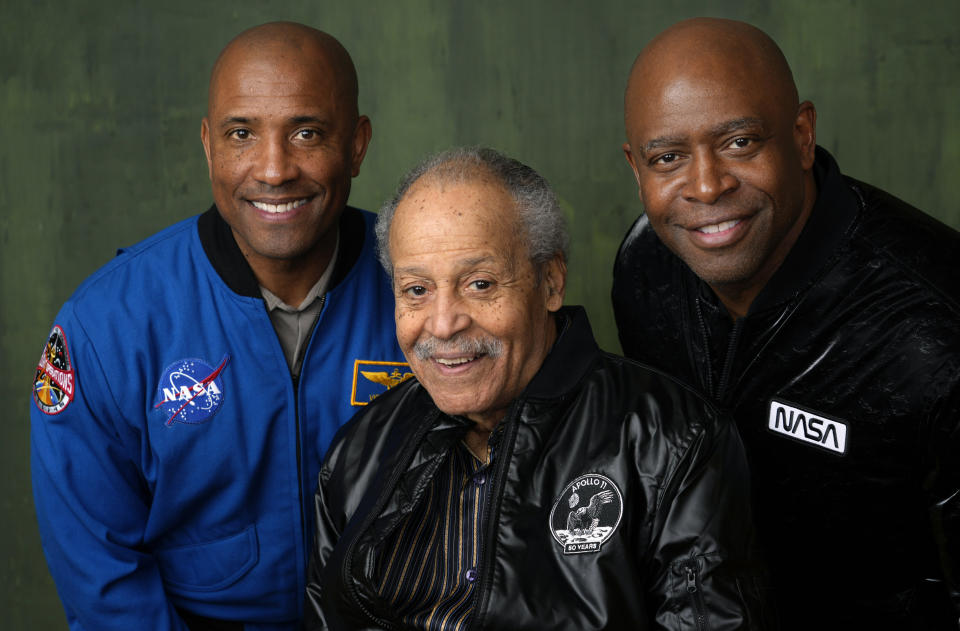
(282, 43)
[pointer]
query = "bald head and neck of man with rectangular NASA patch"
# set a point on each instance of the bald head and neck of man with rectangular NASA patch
(722, 150)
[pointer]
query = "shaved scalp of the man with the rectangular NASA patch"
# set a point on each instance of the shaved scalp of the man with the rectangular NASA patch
(702, 49)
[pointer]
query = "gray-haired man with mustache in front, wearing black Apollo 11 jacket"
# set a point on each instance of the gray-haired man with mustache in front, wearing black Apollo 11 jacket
(524, 480)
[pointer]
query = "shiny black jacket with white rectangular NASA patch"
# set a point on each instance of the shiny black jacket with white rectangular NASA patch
(844, 379)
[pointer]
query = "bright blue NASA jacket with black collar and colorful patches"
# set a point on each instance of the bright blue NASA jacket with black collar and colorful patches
(173, 455)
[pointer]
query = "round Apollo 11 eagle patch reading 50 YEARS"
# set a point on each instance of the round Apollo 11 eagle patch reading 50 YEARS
(586, 514)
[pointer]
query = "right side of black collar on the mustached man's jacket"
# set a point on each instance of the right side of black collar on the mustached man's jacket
(570, 358)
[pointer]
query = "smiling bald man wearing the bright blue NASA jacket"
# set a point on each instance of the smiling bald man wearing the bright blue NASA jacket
(190, 387)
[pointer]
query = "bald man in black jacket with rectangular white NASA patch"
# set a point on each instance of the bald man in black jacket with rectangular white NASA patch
(821, 311)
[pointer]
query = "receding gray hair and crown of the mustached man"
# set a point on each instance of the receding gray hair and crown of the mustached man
(544, 227)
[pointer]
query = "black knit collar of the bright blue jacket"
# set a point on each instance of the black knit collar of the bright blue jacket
(226, 258)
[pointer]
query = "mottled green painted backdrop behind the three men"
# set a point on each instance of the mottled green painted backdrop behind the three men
(100, 106)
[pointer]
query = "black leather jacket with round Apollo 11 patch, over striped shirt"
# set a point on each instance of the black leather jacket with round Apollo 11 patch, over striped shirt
(678, 558)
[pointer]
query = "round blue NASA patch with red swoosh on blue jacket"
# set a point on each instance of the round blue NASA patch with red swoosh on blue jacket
(190, 391)
